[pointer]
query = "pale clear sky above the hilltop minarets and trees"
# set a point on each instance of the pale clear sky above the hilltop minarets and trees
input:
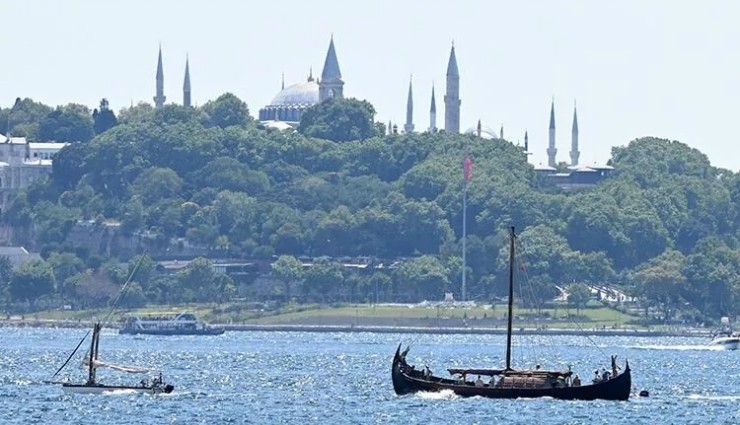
(668, 69)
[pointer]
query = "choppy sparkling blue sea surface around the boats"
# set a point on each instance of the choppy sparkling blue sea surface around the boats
(344, 378)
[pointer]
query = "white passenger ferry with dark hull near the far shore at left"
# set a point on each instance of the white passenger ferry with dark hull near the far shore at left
(179, 324)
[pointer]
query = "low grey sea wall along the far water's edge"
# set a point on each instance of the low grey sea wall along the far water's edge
(342, 328)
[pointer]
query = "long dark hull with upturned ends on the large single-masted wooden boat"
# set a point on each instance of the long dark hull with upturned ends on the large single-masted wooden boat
(407, 380)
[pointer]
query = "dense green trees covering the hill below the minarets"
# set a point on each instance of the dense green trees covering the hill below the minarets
(665, 226)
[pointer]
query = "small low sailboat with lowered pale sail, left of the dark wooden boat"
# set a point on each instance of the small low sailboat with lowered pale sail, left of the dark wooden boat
(154, 386)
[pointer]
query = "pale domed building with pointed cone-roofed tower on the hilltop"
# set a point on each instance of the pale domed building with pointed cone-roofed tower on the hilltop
(290, 103)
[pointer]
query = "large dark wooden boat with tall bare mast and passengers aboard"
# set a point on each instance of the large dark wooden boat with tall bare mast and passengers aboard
(509, 382)
